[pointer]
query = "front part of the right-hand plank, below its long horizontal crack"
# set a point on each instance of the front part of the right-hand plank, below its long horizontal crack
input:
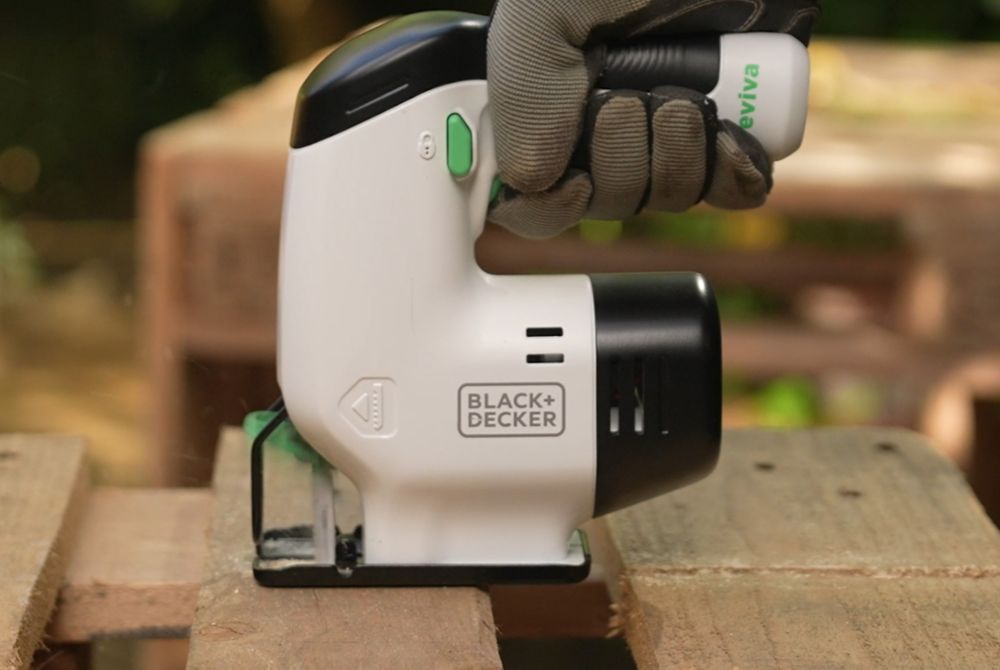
(804, 621)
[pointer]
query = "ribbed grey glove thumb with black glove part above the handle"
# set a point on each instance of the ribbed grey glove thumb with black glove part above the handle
(540, 65)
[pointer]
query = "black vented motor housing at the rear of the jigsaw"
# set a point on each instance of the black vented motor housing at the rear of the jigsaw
(659, 385)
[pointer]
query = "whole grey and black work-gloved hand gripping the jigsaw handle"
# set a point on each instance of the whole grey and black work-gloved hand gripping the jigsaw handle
(663, 150)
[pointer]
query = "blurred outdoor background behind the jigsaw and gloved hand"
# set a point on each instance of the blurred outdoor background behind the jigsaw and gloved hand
(141, 158)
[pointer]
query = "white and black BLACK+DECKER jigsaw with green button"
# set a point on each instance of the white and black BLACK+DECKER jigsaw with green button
(482, 418)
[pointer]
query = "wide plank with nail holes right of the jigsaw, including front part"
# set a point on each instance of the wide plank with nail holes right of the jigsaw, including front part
(833, 548)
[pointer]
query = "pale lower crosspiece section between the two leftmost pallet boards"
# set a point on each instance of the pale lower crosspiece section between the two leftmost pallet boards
(148, 584)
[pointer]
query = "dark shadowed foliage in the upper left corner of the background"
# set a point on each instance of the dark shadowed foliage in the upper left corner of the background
(82, 81)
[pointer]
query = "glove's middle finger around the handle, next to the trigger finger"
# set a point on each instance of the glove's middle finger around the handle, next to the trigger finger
(618, 147)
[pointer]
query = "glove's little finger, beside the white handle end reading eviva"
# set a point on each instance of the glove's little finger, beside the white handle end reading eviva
(742, 177)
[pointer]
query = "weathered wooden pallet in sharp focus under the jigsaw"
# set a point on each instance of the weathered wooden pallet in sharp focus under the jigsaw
(832, 548)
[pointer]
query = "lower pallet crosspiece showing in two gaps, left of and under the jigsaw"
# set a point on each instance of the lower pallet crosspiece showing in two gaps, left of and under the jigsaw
(148, 586)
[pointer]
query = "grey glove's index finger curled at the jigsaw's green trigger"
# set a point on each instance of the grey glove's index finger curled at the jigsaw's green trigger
(543, 215)
